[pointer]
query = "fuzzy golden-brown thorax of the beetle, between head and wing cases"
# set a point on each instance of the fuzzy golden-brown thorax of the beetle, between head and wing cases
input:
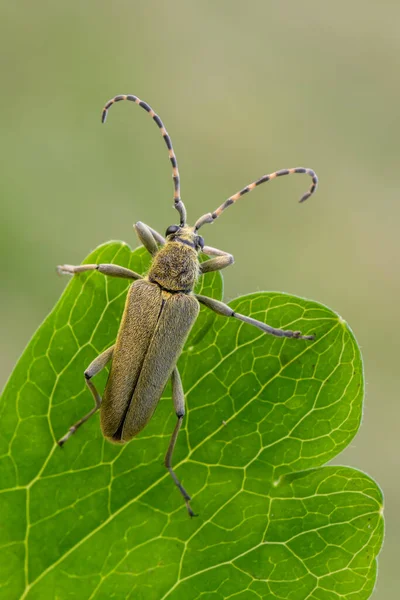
(175, 267)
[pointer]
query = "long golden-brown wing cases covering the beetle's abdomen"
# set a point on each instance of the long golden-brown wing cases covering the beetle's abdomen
(154, 328)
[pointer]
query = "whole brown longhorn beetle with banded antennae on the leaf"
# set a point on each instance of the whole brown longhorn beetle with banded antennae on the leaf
(160, 310)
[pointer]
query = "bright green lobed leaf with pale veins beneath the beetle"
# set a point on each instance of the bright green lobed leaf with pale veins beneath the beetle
(94, 520)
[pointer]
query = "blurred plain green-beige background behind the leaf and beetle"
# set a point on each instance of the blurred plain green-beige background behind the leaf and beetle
(244, 88)
